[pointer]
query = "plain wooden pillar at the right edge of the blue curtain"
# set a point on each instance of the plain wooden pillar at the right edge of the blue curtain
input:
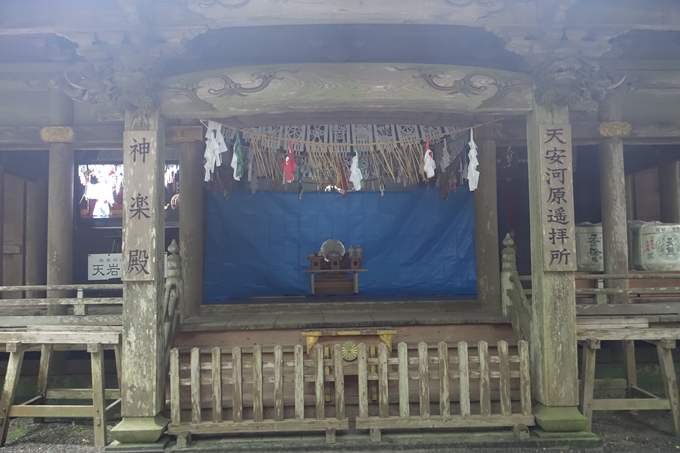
(486, 228)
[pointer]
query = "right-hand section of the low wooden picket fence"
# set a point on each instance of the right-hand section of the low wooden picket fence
(457, 369)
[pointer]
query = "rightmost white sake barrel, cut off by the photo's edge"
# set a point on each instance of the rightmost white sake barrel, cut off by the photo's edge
(656, 246)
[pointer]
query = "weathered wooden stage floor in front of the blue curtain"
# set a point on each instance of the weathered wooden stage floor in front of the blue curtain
(340, 312)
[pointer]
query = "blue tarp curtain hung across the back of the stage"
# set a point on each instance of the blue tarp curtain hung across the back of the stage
(413, 241)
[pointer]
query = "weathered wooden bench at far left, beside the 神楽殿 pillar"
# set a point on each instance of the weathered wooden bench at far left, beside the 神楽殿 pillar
(95, 339)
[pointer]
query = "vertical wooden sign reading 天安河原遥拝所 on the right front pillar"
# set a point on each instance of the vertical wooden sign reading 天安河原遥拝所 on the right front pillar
(557, 198)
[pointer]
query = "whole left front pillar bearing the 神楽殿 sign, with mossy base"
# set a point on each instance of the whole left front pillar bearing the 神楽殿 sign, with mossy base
(143, 348)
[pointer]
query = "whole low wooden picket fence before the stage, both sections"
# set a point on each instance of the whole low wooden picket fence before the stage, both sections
(289, 391)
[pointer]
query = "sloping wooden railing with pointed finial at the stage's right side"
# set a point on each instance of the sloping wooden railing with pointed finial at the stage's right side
(515, 303)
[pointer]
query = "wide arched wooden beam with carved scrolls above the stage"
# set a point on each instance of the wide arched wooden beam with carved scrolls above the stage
(347, 87)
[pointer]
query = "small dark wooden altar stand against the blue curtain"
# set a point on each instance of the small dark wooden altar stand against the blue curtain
(337, 275)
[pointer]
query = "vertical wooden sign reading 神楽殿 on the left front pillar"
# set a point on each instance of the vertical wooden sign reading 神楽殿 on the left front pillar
(140, 170)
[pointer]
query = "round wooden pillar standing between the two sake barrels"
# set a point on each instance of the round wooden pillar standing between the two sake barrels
(613, 195)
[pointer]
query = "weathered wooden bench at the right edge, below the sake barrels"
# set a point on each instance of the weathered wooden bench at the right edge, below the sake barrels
(591, 332)
